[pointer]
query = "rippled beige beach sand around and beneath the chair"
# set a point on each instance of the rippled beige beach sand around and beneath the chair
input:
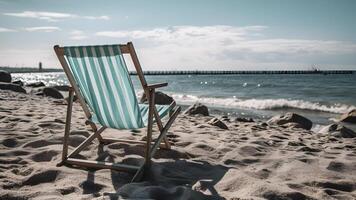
(248, 161)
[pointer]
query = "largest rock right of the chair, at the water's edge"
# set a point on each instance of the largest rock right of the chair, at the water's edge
(291, 119)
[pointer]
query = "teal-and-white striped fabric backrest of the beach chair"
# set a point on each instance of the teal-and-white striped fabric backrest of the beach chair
(102, 77)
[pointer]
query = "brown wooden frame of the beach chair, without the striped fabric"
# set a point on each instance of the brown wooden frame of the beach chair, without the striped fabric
(150, 147)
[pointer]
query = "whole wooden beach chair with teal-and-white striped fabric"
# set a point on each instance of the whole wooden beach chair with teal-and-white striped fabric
(101, 81)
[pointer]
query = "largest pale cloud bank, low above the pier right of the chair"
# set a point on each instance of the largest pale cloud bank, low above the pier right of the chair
(227, 46)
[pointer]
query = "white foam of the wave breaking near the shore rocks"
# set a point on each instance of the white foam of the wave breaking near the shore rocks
(262, 104)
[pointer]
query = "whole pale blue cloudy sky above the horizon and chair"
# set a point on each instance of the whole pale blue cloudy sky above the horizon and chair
(186, 34)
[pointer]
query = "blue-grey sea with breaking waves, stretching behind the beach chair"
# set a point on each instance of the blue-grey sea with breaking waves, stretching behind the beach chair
(321, 98)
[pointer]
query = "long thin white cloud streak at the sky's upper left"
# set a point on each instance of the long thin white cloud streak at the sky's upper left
(53, 16)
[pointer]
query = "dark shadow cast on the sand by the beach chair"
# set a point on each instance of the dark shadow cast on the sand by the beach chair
(164, 180)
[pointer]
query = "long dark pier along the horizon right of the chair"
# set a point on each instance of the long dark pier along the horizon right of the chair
(325, 72)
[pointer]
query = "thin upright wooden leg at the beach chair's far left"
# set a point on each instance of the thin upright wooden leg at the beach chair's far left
(67, 126)
